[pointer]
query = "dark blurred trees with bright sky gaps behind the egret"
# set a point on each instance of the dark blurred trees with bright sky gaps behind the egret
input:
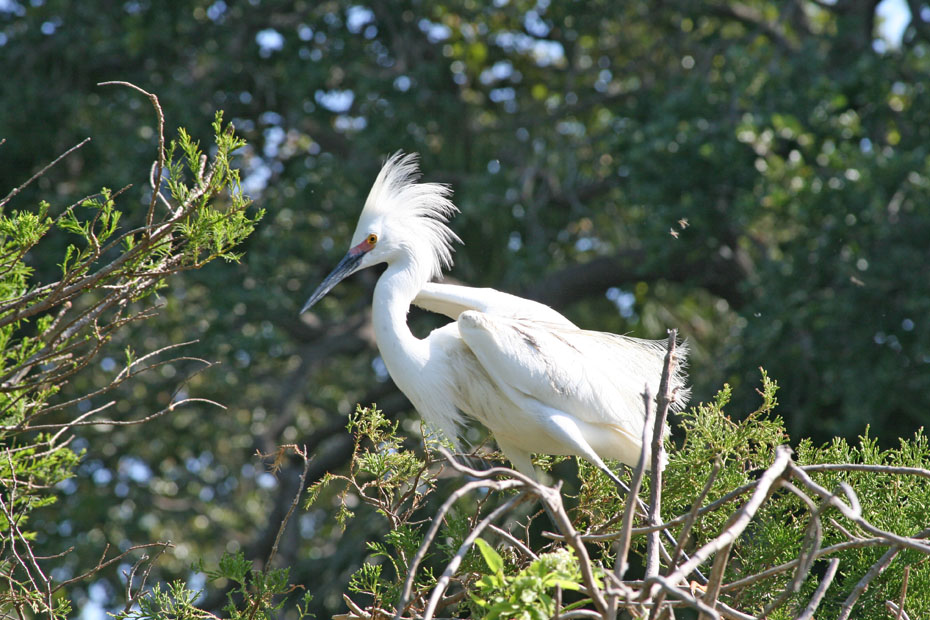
(754, 173)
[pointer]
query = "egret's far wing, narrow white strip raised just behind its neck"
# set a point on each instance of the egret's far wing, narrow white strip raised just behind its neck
(452, 300)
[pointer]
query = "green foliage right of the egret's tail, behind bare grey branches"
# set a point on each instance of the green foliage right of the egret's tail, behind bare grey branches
(895, 503)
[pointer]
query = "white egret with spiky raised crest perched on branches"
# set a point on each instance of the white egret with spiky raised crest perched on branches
(535, 380)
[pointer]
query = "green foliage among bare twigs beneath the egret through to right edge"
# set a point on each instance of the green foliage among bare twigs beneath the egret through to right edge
(510, 585)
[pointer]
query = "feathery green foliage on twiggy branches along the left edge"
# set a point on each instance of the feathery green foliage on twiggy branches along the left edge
(52, 331)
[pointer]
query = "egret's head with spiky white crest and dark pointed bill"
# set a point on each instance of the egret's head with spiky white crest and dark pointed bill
(403, 220)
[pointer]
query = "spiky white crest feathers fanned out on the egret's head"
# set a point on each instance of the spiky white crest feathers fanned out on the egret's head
(418, 210)
